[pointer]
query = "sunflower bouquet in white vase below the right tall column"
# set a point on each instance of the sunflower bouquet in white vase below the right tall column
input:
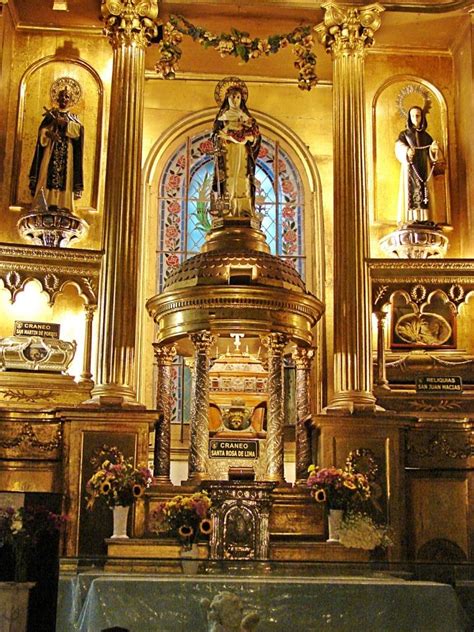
(339, 488)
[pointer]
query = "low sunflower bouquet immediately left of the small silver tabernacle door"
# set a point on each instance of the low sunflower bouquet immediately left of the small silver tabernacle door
(185, 517)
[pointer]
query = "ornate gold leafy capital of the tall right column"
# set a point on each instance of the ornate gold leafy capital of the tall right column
(348, 30)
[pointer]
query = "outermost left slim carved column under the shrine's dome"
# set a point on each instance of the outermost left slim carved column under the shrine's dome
(164, 357)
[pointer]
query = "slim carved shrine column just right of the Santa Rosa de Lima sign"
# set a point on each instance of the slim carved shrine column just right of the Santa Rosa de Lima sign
(275, 344)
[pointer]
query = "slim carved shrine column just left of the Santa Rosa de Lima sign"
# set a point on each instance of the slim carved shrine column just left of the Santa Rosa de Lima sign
(199, 432)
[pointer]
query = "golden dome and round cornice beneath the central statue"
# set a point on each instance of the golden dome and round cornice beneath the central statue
(235, 284)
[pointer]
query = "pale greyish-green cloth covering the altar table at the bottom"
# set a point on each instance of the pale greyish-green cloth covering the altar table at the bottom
(92, 602)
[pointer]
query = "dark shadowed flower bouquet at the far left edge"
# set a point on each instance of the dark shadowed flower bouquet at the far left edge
(22, 529)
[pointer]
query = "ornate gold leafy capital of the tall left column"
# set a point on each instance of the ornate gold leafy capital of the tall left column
(130, 21)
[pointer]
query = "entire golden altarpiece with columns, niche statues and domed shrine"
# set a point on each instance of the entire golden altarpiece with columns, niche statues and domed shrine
(233, 256)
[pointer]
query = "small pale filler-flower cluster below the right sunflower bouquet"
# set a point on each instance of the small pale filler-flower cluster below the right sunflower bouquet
(359, 531)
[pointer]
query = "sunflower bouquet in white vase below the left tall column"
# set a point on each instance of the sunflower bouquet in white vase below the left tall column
(115, 480)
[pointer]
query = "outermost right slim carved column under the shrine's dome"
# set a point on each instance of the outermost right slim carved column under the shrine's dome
(303, 358)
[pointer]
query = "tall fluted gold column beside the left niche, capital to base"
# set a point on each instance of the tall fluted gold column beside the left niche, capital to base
(129, 26)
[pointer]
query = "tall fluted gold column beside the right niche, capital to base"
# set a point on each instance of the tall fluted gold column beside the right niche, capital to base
(346, 33)
